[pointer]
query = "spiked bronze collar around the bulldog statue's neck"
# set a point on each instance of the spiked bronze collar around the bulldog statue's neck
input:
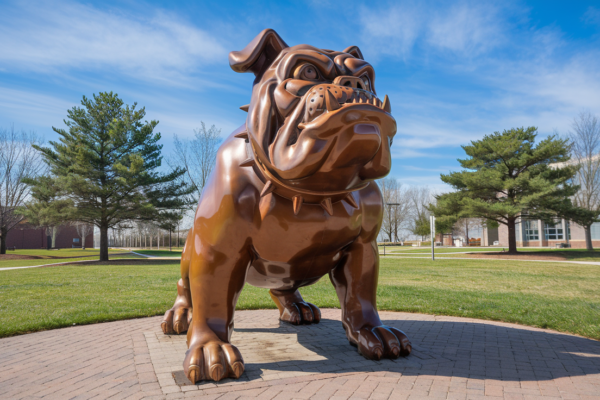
(298, 196)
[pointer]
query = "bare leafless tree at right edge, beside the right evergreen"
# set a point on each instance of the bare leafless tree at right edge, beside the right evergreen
(585, 141)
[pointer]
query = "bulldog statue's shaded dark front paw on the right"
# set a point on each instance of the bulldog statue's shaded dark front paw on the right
(383, 341)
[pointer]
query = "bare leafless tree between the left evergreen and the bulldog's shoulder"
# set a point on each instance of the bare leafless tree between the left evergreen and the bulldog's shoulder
(197, 156)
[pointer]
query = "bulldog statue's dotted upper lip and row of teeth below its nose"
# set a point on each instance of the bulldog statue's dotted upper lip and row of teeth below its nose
(322, 100)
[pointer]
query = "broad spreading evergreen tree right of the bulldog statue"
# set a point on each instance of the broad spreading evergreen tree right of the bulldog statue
(507, 173)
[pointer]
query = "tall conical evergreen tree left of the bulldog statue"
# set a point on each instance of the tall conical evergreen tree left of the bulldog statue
(106, 162)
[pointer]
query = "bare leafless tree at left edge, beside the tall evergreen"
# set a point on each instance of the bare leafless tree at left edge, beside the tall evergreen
(18, 160)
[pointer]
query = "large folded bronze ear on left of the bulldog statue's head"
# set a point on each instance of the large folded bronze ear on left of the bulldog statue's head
(258, 55)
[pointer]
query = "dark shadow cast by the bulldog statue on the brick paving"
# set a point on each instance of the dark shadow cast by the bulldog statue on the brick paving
(476, 350)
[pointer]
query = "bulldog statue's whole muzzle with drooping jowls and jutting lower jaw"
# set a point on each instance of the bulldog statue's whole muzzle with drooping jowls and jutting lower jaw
(327, 127)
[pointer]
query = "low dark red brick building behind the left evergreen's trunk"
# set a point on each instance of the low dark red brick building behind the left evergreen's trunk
(24, 236)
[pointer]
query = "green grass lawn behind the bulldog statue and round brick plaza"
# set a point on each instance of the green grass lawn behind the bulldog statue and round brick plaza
(564, 297)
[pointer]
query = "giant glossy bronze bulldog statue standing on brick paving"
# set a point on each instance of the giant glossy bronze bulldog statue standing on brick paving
(291, 199)
